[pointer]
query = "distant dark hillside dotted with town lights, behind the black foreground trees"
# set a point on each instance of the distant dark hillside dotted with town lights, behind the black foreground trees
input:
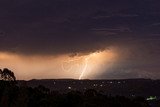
(125, 87)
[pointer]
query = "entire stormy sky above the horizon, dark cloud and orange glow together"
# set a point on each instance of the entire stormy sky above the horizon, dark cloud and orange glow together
(107, 39)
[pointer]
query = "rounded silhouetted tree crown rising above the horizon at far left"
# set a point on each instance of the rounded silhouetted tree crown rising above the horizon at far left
(7, 75)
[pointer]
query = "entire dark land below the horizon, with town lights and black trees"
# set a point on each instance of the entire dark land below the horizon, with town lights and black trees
(80, 93)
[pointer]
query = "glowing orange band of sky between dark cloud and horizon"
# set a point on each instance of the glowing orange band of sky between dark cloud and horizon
(62, 66)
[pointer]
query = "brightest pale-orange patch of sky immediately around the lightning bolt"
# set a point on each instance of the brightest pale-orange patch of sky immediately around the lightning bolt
(88, 63)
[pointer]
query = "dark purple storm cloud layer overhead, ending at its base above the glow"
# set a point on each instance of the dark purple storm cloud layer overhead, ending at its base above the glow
(70, 26)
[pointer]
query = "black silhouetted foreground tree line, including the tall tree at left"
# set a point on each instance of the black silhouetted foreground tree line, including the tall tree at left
(14, 95)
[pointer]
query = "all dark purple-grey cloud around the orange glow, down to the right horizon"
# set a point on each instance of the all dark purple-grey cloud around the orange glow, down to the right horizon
(80, 27)
